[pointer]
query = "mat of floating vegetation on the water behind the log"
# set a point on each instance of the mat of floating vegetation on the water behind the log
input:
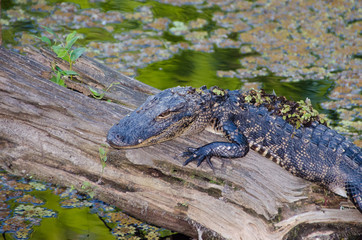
(308, 40)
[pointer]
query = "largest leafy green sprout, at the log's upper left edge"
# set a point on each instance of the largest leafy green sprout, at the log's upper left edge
(65, 51)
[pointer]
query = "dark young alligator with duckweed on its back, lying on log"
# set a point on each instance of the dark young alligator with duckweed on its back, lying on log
(283, 131)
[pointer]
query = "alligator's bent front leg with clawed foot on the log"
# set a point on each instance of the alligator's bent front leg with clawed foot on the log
(238, 147)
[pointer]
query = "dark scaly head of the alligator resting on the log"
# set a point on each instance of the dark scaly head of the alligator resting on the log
(168, 114)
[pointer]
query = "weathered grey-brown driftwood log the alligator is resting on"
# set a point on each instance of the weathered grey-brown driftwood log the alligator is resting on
(53, 133)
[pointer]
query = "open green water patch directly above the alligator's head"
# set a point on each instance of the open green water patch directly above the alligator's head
(193, 69)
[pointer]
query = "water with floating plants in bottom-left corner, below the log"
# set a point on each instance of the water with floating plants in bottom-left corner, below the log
(23, 210)
